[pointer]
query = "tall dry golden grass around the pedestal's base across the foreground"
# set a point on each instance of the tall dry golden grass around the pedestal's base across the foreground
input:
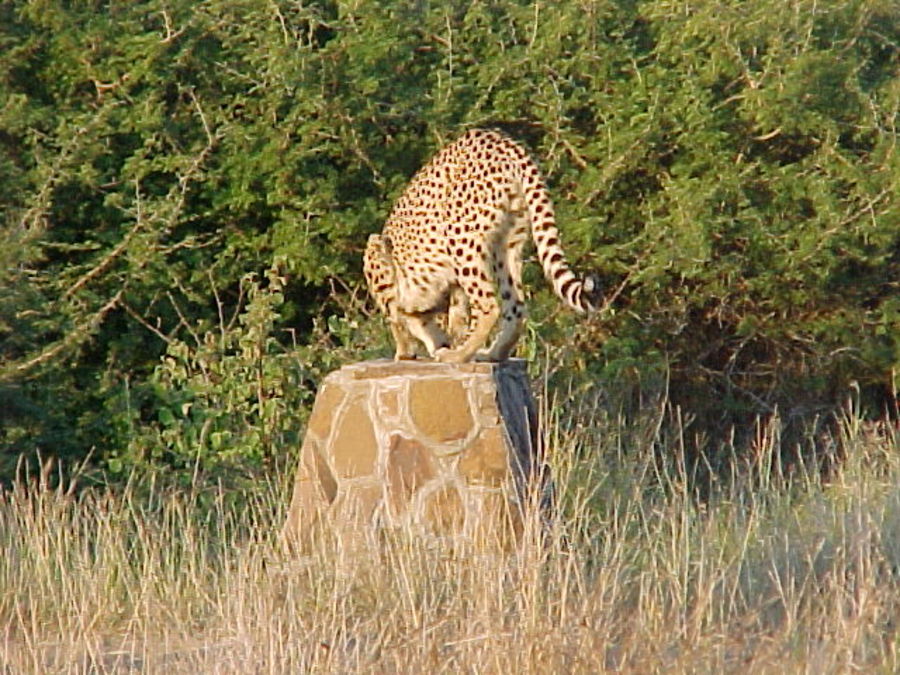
(631, 573)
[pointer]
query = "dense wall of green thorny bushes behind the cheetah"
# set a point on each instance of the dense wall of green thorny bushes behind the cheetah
(732, 165)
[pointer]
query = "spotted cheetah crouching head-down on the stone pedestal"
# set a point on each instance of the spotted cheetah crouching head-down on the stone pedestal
(455, 233)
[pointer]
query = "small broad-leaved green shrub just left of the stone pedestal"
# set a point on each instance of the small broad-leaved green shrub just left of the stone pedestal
(228, 402)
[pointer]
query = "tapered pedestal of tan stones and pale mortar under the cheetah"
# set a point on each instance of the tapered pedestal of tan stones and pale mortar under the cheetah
(443, 449)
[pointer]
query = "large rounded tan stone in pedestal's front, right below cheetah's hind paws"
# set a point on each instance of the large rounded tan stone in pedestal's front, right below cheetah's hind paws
(440, 409)
